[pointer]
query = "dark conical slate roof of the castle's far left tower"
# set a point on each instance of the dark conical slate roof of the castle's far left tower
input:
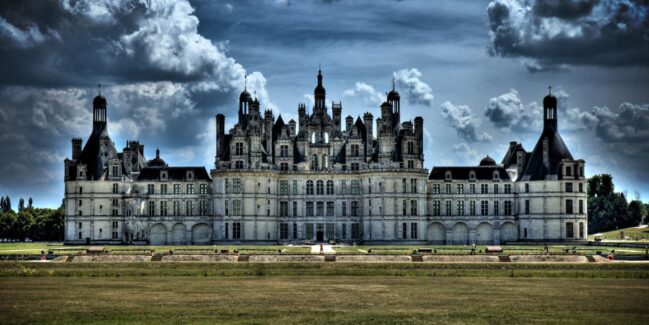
(94, 156)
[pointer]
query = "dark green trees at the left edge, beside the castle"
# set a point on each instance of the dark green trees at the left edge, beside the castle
(39, 224)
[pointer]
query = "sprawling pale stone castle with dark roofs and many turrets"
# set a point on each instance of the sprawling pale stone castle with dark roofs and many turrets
(313, 180)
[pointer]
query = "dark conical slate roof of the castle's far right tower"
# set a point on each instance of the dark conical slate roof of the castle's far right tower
(535, 169)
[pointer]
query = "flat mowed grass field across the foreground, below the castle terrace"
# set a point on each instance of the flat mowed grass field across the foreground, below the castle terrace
(318, 293)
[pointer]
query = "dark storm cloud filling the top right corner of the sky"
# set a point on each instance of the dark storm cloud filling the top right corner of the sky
(550, 34)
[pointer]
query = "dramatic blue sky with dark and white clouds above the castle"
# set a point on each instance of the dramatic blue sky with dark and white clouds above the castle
(476, 71)
